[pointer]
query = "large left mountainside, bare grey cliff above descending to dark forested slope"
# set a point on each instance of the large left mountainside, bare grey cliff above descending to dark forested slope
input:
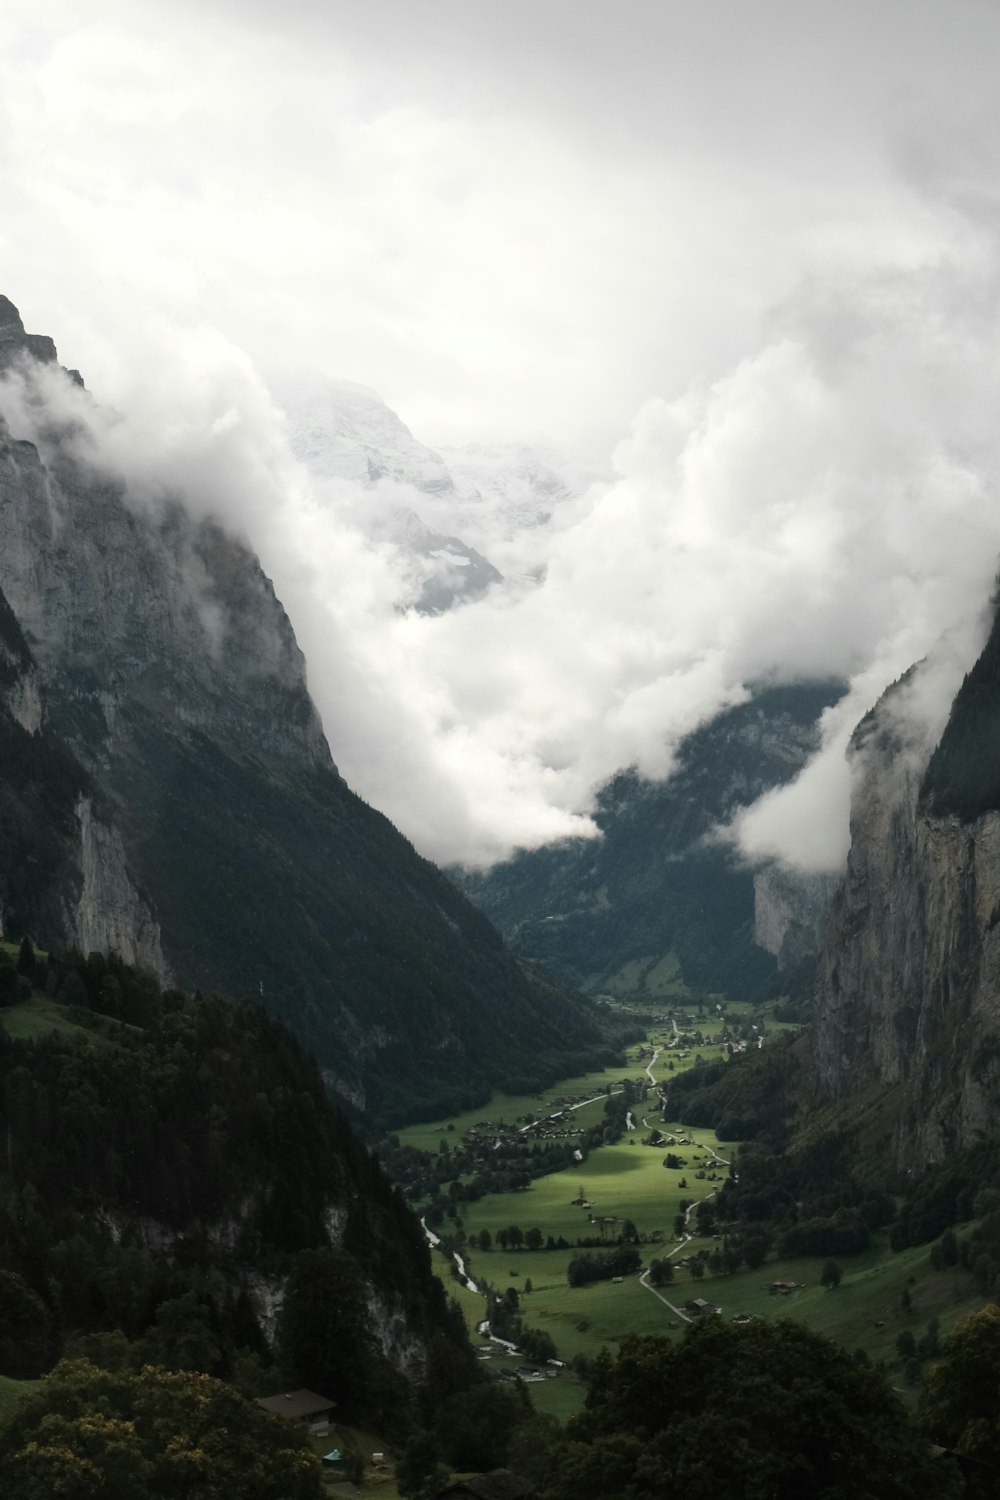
(175, 676)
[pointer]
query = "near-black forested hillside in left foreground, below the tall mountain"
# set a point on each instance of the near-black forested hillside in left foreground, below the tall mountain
(176, 1189)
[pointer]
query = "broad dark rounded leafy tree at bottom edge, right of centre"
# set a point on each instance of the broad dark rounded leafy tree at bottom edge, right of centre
(795, 1417)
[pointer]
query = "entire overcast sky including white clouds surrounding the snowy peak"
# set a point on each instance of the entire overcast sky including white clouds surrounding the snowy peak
(746, 247)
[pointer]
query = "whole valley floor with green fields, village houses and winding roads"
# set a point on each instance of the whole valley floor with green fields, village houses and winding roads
(516, 1246)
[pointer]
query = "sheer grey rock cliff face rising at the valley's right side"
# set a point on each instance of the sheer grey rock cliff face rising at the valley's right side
(909, 986)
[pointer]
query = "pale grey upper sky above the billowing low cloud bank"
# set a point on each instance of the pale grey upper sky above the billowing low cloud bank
(501, 217)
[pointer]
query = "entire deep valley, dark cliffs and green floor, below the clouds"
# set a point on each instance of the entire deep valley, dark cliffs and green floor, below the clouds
(704, 1159)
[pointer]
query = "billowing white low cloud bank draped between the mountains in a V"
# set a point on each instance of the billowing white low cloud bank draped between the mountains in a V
(825, 509)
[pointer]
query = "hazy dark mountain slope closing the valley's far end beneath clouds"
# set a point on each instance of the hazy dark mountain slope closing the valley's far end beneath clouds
(614, 914)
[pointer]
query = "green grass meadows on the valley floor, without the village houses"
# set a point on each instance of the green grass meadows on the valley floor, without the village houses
(627, 1181)
